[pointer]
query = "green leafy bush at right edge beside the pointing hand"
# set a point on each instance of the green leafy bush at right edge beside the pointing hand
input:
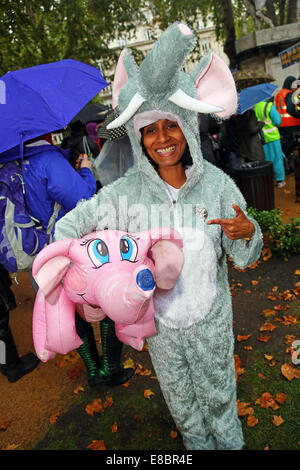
(282, 238)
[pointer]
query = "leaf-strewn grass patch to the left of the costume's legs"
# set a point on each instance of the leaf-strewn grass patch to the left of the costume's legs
(141, 424)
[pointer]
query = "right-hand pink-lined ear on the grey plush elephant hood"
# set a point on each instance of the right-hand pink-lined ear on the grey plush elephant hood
(215, 84)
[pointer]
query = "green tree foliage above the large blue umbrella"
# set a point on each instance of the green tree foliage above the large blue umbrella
(49, 30)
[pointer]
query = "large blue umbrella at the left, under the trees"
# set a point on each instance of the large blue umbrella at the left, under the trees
(44, 98)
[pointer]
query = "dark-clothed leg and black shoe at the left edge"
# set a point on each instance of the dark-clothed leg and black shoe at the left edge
(11, 365)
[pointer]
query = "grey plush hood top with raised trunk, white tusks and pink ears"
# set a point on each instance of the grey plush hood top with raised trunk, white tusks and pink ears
(210, 88)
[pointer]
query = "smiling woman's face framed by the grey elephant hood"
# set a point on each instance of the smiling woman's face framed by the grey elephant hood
(164, 142)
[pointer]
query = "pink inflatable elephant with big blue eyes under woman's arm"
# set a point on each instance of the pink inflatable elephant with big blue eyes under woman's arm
(112, 273)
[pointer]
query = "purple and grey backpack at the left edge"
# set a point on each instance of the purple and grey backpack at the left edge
(21, 235)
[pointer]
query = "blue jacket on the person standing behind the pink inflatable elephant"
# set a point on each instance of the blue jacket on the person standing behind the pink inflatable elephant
(49, 178)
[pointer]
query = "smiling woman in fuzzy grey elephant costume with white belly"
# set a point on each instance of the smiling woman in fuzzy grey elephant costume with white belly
(170, 184)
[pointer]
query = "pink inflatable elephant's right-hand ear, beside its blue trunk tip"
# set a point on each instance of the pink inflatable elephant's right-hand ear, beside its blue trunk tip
(167, 255)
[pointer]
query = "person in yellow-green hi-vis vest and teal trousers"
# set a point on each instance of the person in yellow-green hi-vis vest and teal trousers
(266, 111)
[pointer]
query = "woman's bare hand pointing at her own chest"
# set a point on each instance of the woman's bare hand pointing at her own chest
(237, 227)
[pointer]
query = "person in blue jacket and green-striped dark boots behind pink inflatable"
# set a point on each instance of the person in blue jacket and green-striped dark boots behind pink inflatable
(51, 183)
